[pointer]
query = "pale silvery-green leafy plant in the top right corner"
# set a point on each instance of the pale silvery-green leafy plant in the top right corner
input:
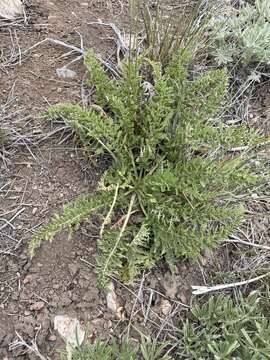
(244, 37)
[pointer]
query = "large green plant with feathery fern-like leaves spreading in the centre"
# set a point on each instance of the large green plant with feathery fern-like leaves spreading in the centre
(173, 174)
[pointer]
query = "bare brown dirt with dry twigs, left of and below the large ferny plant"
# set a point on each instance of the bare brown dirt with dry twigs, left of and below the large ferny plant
(40, 170)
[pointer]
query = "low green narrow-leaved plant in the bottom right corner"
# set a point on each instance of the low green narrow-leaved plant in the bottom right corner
(220, 329)
